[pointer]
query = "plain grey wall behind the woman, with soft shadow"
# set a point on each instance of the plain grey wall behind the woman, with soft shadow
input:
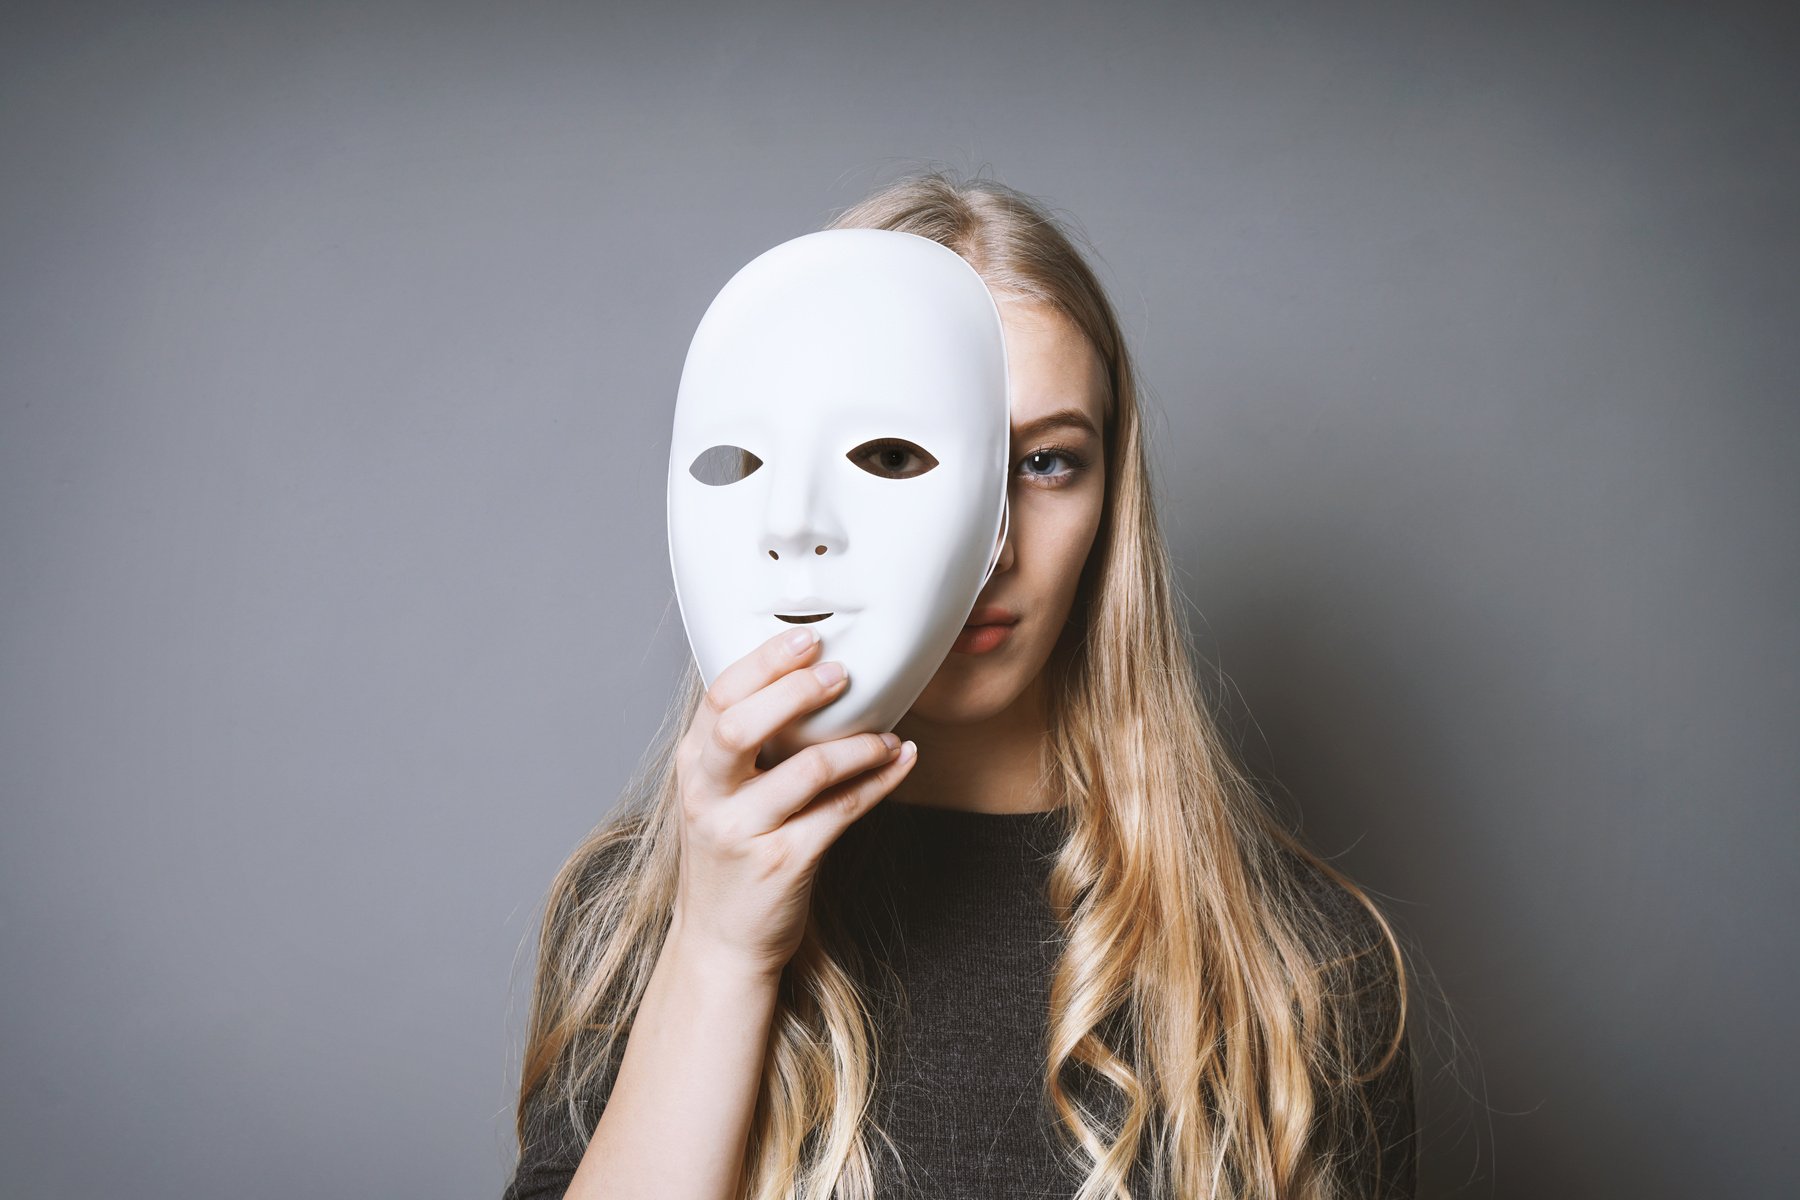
(337, 352)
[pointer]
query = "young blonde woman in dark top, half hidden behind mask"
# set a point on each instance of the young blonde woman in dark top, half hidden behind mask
(1056, 944)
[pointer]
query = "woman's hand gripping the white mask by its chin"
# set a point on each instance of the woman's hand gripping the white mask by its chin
(753, 839)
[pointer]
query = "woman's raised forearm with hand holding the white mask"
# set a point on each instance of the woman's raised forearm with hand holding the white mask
(676, 1120)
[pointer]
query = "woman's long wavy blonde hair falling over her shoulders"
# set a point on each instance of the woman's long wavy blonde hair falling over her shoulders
(1212, 1023)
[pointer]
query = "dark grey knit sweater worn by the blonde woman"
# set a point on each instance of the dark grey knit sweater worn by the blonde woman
(962, 944)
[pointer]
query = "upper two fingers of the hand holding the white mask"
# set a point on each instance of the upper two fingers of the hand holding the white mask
(753, 699)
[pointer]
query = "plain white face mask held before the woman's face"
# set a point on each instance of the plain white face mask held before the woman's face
(811, 354)
